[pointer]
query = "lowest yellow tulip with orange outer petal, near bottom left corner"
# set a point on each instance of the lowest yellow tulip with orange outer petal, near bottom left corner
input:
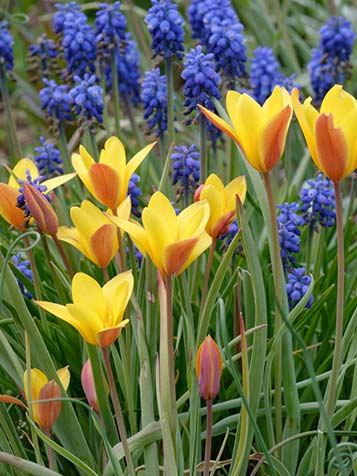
(45, 414)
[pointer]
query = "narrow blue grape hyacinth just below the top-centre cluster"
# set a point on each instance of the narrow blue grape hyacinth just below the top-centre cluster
(154, 99)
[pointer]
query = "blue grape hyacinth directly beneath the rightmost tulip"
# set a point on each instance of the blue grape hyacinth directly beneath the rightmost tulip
(318, 202)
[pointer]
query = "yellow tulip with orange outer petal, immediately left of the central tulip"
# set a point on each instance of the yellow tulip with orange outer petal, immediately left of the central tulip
(93, 234)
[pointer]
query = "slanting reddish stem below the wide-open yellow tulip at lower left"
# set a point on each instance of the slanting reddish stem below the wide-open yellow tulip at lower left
(118, 412)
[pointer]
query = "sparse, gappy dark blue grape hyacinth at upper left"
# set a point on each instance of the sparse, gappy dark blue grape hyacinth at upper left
(41, 57)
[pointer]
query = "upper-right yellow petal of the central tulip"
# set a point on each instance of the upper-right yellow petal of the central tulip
(193, 219)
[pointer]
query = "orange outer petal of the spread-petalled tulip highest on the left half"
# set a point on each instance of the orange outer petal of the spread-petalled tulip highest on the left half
(106, 185)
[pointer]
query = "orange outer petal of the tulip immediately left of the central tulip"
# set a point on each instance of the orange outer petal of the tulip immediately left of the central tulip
(104, 244)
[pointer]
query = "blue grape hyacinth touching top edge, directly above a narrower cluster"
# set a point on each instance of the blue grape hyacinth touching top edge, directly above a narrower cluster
(165, 25)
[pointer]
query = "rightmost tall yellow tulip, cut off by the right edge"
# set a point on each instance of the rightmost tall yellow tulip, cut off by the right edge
(330, 134)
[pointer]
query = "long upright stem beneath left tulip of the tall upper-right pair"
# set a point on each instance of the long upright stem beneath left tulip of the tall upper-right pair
(278, 278)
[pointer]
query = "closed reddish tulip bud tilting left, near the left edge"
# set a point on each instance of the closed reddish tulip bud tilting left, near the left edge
(41, 210)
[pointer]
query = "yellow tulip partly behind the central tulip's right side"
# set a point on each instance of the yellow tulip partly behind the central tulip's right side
(222, 202)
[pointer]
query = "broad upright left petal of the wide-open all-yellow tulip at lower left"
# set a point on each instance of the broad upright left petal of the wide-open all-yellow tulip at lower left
(87, 293)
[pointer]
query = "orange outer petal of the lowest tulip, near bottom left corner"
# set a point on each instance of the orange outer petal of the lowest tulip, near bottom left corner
(47, 412)
